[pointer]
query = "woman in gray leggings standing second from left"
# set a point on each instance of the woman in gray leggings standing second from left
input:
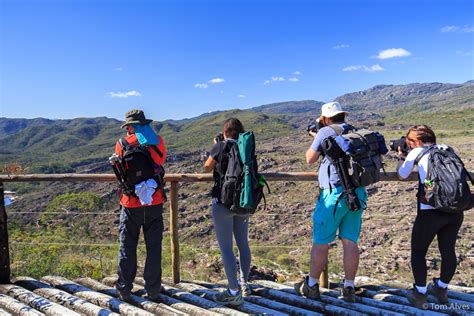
(229, 225)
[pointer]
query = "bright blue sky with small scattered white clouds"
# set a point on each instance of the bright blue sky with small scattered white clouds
(177, 59)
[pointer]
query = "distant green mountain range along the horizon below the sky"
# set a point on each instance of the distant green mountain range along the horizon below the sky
(62, 145)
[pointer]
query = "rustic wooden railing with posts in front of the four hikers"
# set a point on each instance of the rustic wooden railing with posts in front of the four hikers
(172, 179)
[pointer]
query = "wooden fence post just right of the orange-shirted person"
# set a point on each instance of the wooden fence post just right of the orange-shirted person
(174, 232)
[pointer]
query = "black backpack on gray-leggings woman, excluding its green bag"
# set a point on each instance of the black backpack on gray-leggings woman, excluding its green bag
(229, 187)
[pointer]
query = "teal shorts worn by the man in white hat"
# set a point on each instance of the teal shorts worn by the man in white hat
(326, 223)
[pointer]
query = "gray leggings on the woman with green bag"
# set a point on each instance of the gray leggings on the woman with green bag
(227, 224)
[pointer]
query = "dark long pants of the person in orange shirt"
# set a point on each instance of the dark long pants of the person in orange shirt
(131, 220)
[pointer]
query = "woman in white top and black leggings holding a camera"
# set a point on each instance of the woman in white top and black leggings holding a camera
(429, 221)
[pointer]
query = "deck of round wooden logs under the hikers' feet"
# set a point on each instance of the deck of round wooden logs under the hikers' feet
(53, 295)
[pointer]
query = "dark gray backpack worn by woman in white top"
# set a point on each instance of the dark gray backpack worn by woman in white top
(445, 187)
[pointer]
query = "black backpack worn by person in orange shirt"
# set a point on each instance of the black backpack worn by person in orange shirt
(138, 165)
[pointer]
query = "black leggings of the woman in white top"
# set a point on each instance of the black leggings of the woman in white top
(428, 224)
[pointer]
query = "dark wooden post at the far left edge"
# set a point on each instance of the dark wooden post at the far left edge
(4, 251)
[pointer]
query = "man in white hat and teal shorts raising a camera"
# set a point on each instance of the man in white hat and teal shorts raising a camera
(332, 213)
